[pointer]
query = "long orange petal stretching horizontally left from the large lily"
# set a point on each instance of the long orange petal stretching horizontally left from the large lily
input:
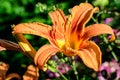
(35, 28)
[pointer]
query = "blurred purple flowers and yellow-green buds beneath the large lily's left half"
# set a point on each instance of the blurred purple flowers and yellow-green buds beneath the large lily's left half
(60, 65)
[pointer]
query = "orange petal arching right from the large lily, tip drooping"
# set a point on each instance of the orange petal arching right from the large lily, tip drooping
(97, 29)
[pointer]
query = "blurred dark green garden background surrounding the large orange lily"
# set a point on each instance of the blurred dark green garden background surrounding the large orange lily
(13, 12)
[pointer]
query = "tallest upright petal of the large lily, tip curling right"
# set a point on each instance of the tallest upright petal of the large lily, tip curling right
(85, 11)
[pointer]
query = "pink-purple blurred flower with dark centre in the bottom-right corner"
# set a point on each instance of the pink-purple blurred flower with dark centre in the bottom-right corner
(110, 68)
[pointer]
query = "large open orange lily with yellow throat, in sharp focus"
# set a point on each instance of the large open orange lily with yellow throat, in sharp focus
(68, 35)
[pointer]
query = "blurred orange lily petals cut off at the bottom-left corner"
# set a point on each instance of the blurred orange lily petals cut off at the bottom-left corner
(32, 73)
